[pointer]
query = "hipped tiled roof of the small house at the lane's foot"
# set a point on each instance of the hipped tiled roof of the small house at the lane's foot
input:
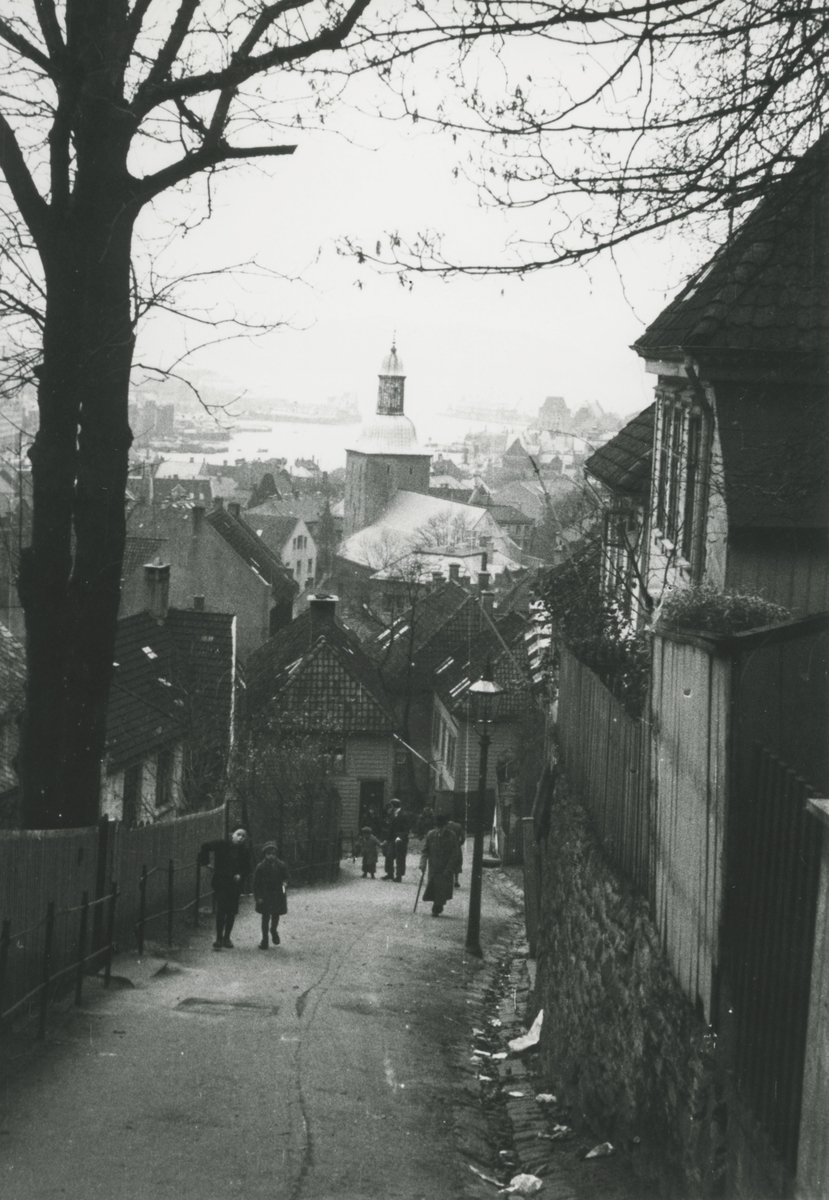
(328, 683)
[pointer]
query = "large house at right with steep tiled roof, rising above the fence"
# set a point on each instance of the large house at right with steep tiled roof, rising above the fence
(738, 489)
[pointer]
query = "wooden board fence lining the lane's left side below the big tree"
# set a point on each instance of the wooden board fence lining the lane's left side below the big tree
(45, 877)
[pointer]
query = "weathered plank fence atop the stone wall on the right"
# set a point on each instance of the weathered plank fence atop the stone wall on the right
(606, 754)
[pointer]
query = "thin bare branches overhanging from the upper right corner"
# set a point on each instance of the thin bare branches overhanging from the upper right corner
(614, 121)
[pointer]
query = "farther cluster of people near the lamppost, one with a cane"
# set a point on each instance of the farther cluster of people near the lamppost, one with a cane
(442, 854)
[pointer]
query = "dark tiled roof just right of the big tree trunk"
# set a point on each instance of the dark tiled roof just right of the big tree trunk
(169, 677)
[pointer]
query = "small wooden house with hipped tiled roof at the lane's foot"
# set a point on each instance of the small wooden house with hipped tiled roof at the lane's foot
(316, 673)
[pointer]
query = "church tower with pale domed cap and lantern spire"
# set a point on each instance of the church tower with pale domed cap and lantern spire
(387, 458)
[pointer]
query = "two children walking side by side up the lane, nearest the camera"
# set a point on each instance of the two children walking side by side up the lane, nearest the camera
(232, 872)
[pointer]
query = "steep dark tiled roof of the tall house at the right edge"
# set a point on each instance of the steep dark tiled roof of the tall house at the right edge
(768, 287)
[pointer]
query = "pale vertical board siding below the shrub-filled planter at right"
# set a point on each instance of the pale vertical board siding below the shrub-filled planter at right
(690, 718)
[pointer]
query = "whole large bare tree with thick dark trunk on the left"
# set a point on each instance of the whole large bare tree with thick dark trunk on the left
(106, 106)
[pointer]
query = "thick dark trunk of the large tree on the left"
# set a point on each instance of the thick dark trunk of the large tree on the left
(70, 577)
